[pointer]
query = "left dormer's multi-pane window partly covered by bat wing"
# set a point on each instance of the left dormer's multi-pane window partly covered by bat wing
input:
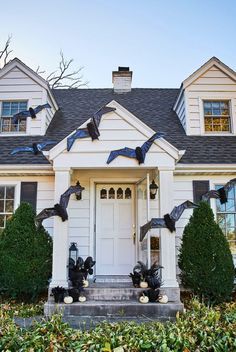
(9, 109)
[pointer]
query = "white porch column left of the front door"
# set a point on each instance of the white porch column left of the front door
(60, 233)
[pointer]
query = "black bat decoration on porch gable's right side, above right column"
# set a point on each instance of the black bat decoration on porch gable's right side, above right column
(138, 153)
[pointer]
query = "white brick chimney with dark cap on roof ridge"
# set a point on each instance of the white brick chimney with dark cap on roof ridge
(121, 80)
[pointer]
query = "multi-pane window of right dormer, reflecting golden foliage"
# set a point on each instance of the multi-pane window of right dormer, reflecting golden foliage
(216, 116)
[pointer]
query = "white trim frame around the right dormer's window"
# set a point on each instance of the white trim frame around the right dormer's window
(204, 98)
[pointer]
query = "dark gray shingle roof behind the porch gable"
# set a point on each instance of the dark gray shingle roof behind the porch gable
(152, 106)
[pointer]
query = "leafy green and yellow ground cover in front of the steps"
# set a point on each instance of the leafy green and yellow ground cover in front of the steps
(199, 329)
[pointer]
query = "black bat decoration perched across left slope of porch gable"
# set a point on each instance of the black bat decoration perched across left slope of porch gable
(92, 127)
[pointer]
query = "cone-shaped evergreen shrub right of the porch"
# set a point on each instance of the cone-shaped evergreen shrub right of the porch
(205, 259)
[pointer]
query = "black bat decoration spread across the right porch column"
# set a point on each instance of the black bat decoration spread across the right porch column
(168, 221)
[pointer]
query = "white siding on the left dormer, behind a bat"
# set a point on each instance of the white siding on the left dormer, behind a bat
(17, 85)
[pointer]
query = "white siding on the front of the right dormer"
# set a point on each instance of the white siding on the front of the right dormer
(213, 84)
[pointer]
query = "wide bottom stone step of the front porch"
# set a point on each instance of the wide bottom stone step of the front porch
(115, 309)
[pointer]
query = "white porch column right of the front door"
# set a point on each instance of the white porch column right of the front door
(167, 243)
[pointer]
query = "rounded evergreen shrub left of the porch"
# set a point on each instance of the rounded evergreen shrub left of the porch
(25, 256)
